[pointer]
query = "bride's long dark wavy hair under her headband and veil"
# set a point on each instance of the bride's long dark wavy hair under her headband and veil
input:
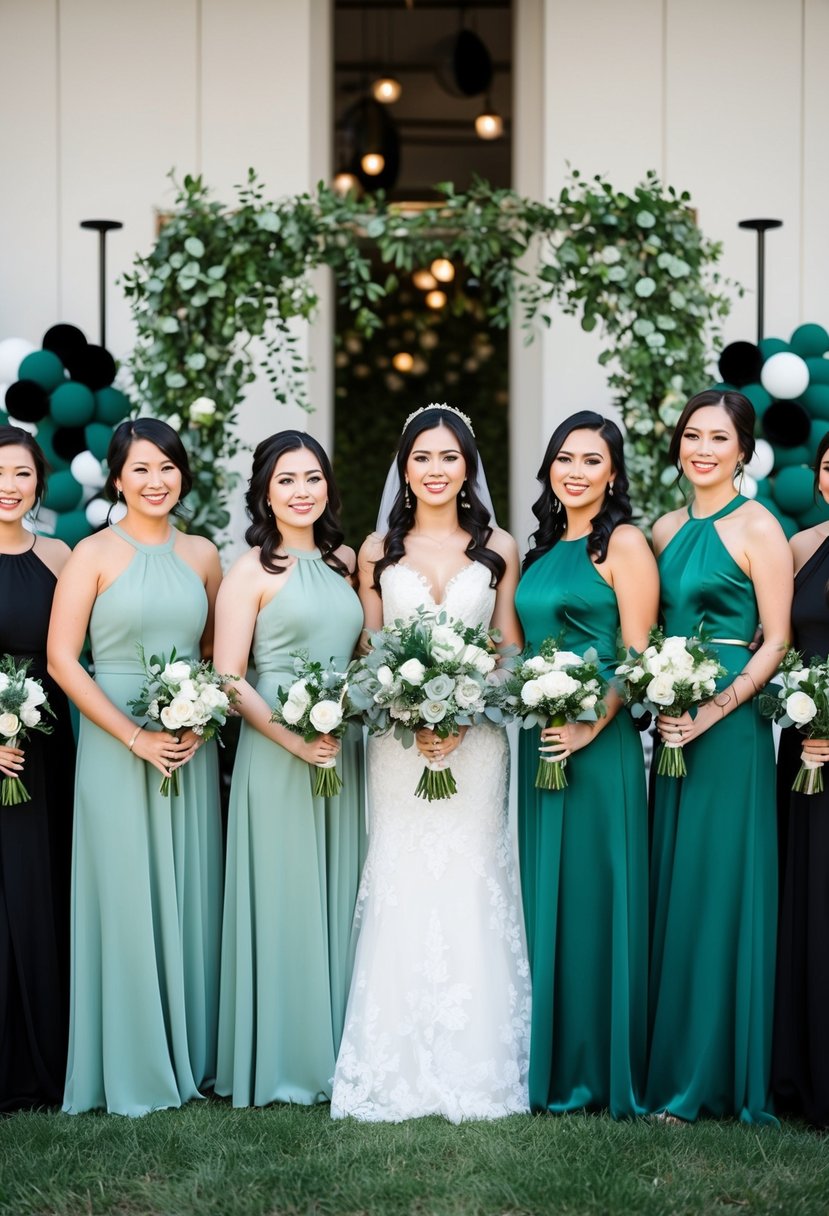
(475, 520)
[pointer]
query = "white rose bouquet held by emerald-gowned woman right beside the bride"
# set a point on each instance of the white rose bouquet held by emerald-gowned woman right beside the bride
(551, 689)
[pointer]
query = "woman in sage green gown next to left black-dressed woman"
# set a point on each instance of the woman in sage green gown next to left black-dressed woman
(146, 882)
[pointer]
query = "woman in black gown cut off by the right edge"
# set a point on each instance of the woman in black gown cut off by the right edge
(800, 1069)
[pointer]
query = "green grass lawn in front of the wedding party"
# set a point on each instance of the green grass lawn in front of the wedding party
(211, 1159)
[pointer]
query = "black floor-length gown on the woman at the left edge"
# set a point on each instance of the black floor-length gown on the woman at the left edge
(36, 845)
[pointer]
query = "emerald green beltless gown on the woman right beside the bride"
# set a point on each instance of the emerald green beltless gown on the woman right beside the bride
(584, 857)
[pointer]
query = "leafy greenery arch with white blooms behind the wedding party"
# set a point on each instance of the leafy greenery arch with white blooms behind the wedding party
(635, 266)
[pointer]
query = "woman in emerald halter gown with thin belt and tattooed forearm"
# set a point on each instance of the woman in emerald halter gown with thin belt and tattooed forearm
(724, 564)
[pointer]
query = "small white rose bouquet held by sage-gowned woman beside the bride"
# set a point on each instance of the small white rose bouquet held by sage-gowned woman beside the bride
(317, 703)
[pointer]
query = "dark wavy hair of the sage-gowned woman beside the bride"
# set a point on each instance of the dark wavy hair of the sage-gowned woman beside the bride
(263, 530)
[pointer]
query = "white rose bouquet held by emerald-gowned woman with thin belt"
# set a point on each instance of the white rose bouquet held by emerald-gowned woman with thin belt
(672, 677)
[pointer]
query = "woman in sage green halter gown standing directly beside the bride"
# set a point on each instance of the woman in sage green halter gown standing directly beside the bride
(294, 860)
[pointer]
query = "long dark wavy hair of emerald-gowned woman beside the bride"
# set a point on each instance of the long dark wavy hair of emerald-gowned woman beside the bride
(548, 509)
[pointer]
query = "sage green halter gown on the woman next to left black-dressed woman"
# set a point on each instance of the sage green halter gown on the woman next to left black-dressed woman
(146, 872)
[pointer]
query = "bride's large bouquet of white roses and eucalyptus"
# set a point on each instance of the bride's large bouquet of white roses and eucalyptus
(430, 672)
